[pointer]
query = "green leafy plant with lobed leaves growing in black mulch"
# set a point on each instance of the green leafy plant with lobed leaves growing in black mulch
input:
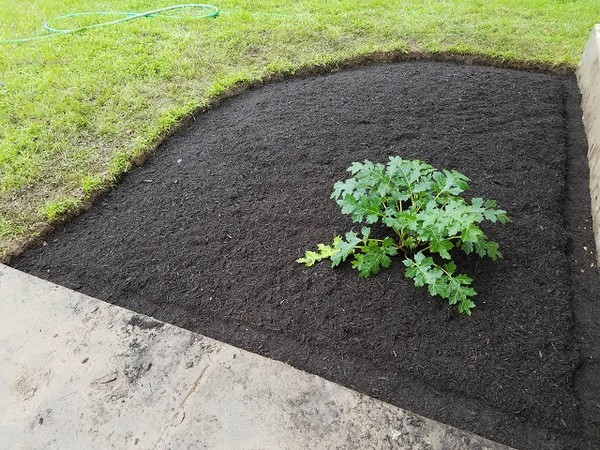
(423, 208)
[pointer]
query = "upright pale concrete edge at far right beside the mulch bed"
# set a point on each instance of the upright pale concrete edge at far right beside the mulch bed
(588, 78)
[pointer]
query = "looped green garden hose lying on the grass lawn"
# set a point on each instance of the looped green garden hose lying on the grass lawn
(211, 11)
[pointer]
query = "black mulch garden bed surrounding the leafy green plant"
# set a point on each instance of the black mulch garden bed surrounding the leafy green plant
(205, 237)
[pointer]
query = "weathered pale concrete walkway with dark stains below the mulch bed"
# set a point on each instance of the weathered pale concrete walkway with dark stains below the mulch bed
(78, 373)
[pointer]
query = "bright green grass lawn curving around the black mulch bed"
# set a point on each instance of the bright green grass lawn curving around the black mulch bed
(76, 109)
